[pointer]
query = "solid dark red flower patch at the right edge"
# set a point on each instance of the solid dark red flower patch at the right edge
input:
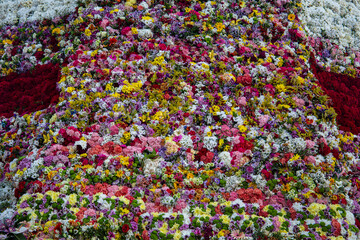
(345, 94)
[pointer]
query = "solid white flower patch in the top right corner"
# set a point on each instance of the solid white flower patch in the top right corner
(337, 20)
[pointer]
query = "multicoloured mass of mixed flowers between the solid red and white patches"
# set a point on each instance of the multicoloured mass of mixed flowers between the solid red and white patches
(177, 120)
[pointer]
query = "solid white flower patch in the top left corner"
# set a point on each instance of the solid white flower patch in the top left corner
(14, 11)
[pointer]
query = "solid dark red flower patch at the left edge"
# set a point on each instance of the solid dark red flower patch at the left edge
(30, 91)
